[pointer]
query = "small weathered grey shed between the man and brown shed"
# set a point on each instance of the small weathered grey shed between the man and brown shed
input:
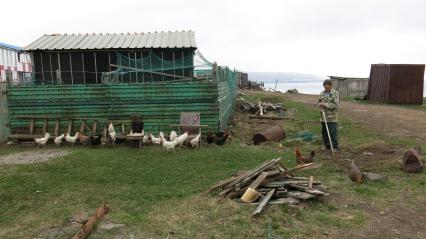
(350, 86)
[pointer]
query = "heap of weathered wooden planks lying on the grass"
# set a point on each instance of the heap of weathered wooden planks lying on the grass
(270, 183)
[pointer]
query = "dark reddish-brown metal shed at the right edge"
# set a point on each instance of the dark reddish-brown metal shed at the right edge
(396, 83)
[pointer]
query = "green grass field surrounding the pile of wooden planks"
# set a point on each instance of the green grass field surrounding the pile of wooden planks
(157, 195)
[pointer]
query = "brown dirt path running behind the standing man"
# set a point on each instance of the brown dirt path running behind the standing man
(386, 120)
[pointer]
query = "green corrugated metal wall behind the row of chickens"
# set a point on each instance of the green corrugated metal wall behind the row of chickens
(160, 105)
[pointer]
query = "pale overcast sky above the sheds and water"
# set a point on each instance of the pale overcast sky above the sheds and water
(324, 37)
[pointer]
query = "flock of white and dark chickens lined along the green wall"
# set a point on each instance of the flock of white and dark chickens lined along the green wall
(109, 136)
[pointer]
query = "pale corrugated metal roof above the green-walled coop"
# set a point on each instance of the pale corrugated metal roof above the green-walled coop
(177, 39)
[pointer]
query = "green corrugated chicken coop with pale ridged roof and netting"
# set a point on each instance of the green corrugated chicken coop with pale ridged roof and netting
(82, 81)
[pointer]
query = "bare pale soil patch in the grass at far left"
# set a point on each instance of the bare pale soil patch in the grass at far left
(31, 157)
